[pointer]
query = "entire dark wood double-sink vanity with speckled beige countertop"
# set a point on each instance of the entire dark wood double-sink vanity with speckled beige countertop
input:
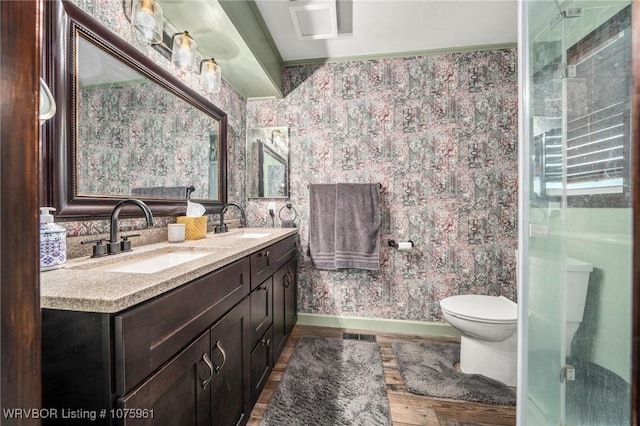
(192, 343)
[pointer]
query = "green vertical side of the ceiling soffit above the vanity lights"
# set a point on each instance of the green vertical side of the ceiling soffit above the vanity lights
(249, 23)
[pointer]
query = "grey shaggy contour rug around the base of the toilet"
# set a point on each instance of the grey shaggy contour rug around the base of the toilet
(429, 369)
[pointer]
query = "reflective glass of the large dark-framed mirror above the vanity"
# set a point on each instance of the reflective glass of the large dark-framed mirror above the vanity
(136, 138)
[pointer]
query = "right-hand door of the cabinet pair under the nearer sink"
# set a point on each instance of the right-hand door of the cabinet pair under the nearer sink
(230, 358)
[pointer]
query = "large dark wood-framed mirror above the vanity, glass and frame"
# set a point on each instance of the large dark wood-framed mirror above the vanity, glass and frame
(125, 127)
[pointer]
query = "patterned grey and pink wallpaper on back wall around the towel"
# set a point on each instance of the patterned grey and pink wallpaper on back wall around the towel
(440, 134)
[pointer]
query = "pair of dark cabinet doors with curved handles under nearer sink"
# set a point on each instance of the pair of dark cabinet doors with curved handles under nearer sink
(207, 383)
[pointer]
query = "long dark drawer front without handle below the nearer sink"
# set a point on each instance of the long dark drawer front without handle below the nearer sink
(148, 335)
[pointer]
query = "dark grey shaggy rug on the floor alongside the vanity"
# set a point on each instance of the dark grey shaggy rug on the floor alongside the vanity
(331, 382)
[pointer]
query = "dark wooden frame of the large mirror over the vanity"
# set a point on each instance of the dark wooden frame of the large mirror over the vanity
(58, 174)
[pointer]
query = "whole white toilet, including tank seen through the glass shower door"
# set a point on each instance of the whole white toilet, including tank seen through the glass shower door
(489, 341)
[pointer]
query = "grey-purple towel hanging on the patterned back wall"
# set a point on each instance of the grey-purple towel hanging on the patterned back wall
(344, 225)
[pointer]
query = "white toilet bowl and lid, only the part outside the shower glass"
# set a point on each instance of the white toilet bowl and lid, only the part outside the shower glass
(489, 342)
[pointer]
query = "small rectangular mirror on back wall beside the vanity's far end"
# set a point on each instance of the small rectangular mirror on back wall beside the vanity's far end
(268, 162)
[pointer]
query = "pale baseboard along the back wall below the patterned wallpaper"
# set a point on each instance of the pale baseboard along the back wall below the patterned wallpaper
(378, 324)
